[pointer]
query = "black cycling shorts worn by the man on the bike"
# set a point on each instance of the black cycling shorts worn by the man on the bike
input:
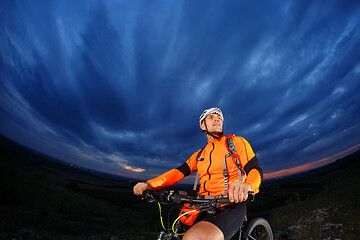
(229, 220)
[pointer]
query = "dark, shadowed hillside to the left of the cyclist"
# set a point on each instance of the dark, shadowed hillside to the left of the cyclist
(43, 198)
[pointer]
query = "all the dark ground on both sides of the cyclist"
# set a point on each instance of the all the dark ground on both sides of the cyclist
(43, 198)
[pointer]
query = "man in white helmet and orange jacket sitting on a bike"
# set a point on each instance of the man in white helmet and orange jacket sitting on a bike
(210, 163)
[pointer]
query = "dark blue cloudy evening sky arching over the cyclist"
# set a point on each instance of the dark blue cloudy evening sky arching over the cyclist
(118, 86)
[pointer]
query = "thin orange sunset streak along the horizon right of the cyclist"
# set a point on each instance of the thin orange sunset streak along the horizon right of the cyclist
(308, 166)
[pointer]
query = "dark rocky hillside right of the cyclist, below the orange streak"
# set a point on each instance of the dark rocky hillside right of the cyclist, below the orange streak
(323, 203)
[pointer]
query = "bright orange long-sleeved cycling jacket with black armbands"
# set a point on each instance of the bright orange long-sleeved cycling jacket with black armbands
(210, 167)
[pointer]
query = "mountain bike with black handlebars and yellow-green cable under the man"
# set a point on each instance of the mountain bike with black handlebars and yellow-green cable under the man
(258, 229)
